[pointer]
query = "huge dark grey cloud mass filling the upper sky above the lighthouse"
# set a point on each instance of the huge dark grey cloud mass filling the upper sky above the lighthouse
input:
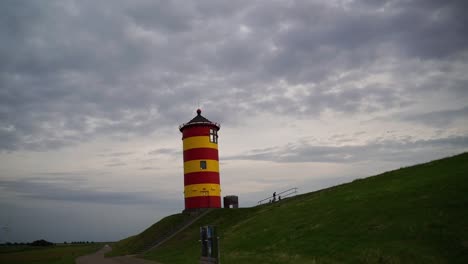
(70, 71)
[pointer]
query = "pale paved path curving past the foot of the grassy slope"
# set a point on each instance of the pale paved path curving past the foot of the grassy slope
(98, 258)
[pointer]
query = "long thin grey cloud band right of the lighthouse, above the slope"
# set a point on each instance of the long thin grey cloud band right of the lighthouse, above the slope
(379, 150)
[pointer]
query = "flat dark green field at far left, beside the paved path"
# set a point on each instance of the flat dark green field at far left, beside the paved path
(60, 254)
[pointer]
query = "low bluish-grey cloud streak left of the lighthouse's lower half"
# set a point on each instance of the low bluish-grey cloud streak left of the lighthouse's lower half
(42, 189)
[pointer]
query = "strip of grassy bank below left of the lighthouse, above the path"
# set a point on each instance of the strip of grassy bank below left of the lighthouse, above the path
(133, 244)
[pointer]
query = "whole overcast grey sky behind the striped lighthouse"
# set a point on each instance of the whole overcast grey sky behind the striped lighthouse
(309, 94)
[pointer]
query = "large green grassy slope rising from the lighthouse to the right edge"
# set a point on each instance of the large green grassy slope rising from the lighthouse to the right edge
(417, 214)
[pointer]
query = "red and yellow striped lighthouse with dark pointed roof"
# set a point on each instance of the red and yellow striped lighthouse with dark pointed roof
(201, 166)
